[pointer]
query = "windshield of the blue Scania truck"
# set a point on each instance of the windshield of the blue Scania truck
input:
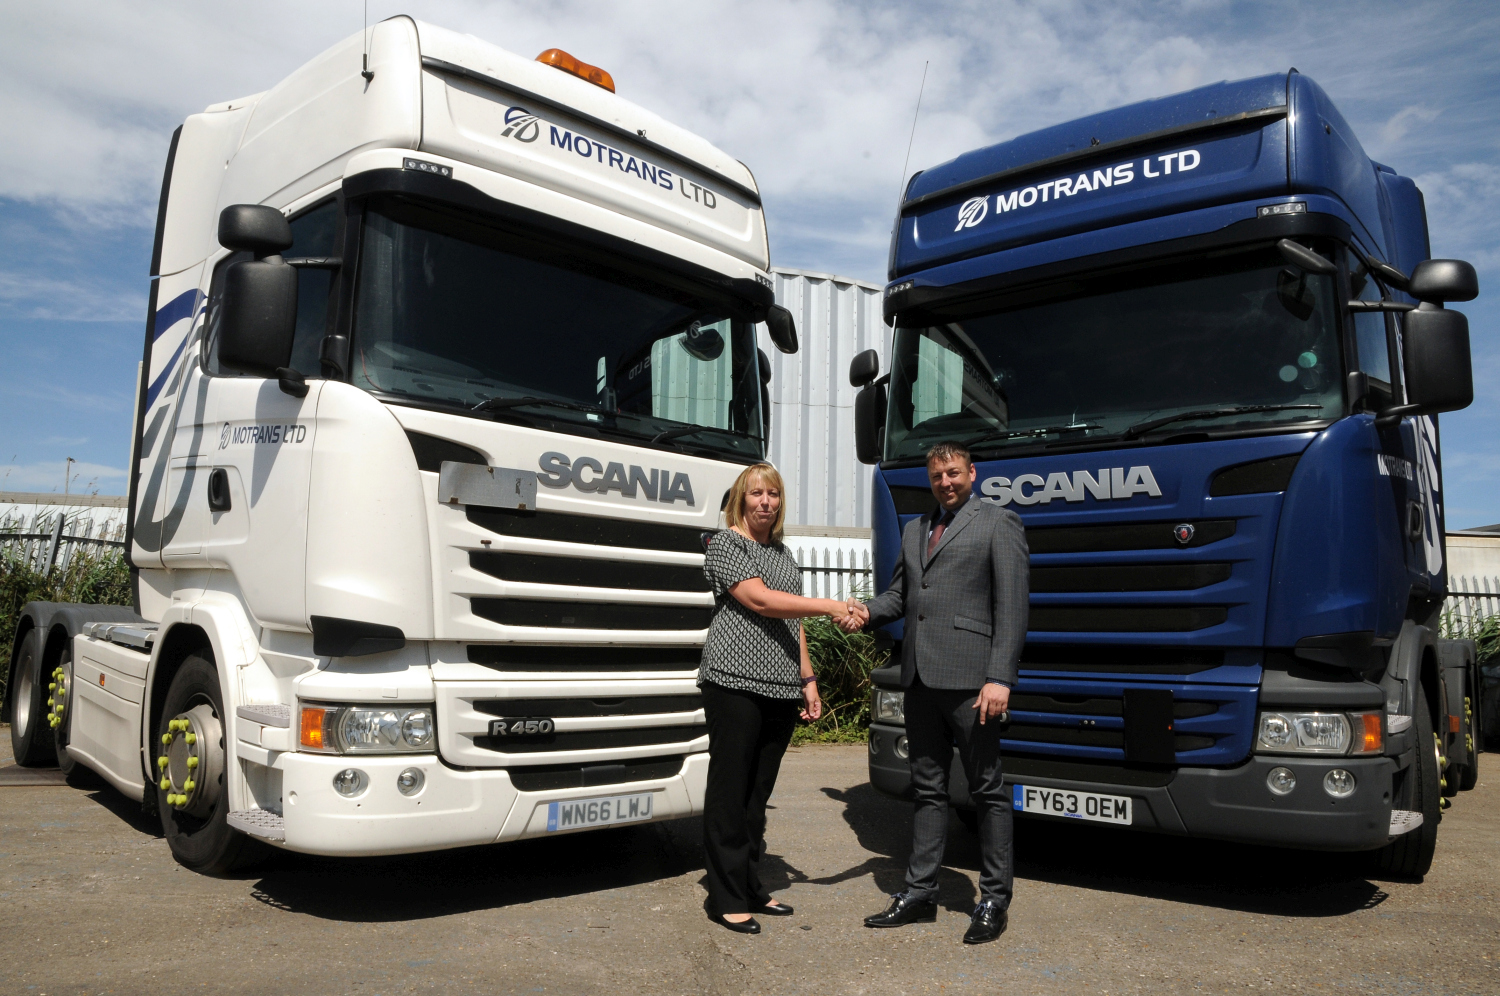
(1240, 343)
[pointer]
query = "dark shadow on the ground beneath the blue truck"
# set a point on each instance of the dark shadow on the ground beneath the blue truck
(1180, 869)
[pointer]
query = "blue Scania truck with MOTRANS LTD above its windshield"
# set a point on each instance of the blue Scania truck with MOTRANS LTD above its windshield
(1201, 347)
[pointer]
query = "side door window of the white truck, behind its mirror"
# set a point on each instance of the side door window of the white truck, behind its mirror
(314, 235)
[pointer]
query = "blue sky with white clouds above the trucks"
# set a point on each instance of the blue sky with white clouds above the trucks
(815, 97)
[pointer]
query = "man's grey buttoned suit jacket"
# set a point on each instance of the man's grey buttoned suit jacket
(965, 608)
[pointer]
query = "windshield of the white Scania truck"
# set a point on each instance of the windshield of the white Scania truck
(457, 314)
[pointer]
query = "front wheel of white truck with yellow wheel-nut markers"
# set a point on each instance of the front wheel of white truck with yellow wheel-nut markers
(190, 764)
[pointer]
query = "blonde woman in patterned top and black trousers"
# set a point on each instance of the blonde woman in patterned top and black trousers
(755, 676)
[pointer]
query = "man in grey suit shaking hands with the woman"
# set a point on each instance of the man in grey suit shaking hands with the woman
(961, 583)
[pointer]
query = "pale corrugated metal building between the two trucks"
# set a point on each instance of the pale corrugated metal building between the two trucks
(812, 403)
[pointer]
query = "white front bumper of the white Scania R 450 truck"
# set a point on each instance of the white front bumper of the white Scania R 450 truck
(455, 808)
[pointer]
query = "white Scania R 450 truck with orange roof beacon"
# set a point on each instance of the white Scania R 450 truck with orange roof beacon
(451, 359)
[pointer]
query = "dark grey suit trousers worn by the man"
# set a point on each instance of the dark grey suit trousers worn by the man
(937, 722)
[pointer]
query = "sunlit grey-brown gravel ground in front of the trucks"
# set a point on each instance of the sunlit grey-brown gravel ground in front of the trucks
(91, 902)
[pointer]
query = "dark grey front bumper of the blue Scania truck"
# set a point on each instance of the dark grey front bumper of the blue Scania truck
(1217, 803)
